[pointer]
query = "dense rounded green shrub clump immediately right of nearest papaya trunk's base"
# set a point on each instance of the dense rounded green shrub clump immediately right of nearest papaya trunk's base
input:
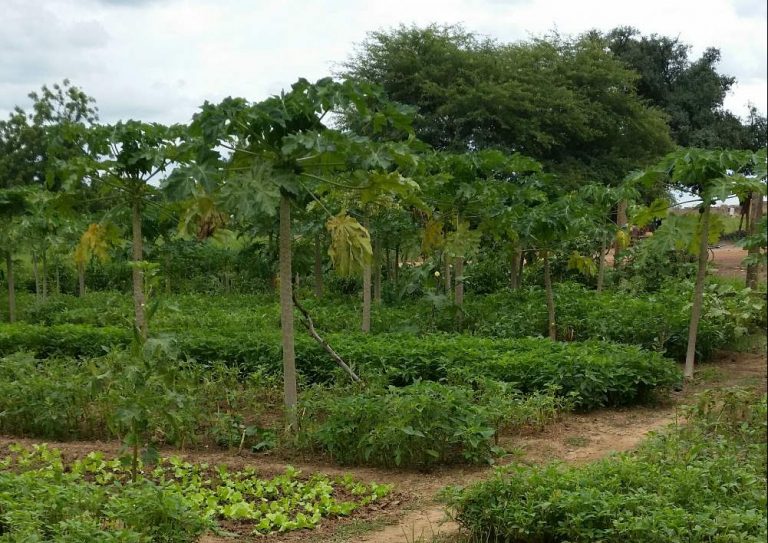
(419, 426)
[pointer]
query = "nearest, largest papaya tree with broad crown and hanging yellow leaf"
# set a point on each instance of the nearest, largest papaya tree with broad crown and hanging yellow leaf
(272, 155)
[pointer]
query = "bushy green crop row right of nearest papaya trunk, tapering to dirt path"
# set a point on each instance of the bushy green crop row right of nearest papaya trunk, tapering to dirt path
(420, 425)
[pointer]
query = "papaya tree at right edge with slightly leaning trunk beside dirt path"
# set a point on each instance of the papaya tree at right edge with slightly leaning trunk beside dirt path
(711, 176)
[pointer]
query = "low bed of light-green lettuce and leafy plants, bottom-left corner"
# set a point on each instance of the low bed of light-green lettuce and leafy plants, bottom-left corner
(96, 499)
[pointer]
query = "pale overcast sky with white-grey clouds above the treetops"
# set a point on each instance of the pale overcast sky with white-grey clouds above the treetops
(158, 60)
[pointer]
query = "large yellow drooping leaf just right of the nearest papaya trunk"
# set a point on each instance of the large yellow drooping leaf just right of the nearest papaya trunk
(350, 249)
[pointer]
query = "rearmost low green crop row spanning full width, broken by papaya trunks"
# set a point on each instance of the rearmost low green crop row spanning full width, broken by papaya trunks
(657, 321)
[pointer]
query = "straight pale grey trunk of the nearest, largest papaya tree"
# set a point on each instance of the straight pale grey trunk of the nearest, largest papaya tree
(286, 315)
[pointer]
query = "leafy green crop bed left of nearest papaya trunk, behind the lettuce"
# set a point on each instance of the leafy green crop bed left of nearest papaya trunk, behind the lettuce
(100, 398)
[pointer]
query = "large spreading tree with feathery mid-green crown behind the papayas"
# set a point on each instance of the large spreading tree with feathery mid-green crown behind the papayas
(567, 102)
